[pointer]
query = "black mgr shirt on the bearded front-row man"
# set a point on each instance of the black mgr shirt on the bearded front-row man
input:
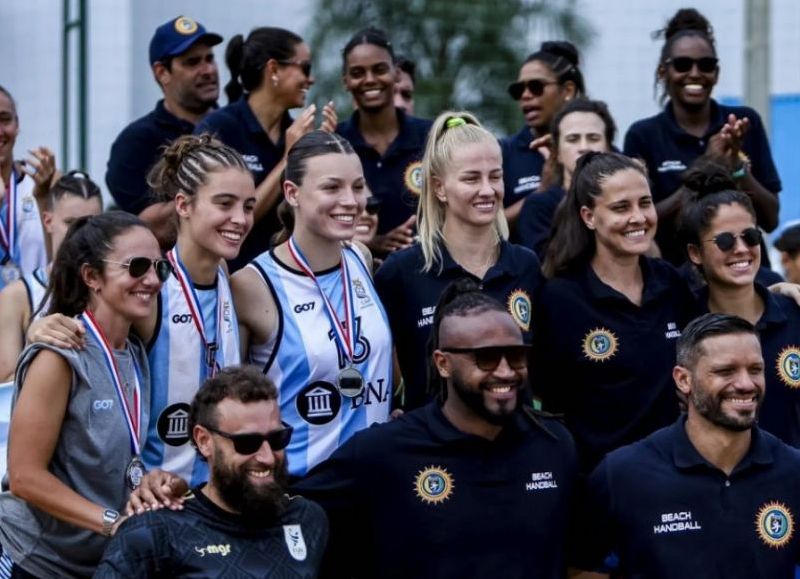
(203, 540)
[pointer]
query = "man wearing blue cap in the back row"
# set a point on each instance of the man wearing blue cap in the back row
(183, 65)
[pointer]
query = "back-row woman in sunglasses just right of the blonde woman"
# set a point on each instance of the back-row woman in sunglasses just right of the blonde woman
(547, 80)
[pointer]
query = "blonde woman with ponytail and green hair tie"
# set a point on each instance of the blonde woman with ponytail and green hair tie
(462, 233)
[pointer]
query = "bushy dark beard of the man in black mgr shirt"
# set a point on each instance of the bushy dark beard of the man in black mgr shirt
(259, 504)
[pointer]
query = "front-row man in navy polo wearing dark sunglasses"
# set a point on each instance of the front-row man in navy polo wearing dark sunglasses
(474, 486)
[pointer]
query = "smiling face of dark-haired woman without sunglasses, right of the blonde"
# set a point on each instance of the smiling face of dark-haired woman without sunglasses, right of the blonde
(623, 217)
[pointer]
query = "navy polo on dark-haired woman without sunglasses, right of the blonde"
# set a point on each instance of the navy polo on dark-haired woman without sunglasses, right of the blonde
(605, 362)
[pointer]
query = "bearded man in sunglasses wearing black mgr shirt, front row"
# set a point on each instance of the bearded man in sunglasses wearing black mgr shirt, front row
(242, 518)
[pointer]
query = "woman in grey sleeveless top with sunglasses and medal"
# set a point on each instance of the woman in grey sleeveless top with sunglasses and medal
(80, 416)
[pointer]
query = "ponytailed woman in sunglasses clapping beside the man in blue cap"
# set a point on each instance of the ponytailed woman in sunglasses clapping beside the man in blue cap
(270, 74)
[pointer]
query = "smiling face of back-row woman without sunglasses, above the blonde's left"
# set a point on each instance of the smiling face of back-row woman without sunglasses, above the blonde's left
(370, 76)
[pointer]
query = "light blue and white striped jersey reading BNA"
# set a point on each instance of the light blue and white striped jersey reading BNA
(303, 358)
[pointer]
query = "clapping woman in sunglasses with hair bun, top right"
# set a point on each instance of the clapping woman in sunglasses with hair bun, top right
(694, 124)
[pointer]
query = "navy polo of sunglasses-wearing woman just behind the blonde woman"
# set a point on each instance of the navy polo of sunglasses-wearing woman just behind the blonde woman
(522, 166)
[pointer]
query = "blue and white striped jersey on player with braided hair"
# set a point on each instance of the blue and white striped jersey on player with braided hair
(178, 368)
